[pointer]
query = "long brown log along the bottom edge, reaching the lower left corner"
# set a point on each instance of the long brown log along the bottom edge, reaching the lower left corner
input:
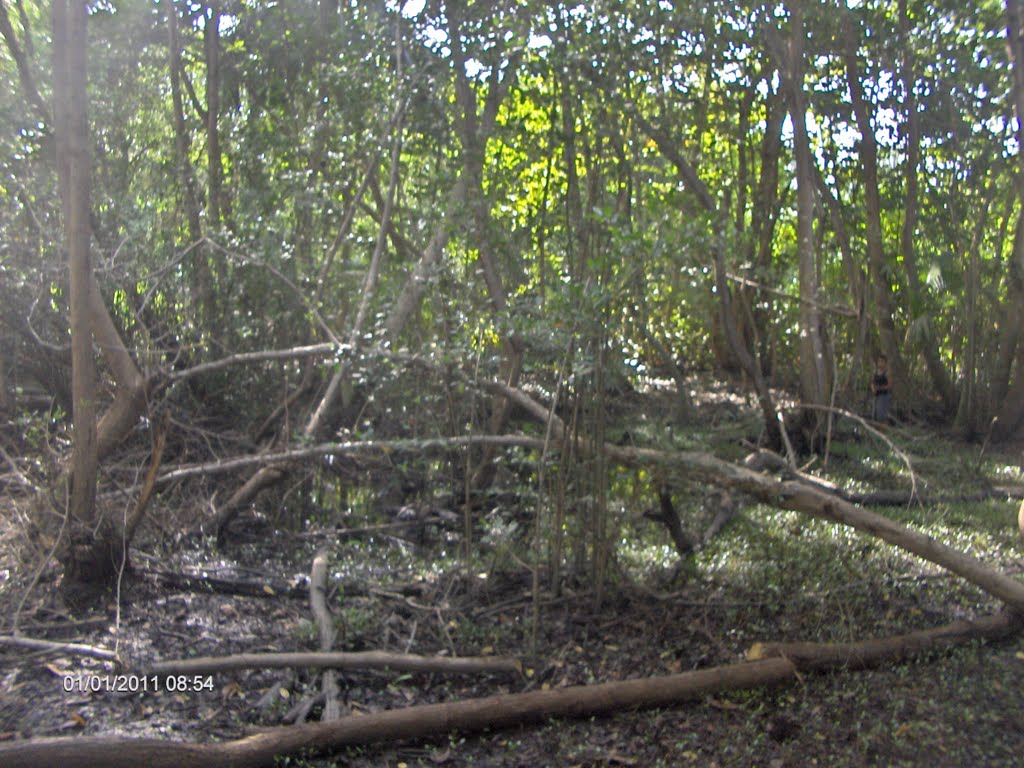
(414, 722)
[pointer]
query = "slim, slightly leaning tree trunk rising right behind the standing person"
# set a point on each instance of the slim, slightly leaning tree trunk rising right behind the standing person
(877, 263)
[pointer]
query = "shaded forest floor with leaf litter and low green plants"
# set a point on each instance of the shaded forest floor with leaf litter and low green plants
(770, 576)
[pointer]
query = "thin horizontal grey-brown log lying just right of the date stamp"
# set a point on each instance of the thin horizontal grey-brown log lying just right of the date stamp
(371, 660)
